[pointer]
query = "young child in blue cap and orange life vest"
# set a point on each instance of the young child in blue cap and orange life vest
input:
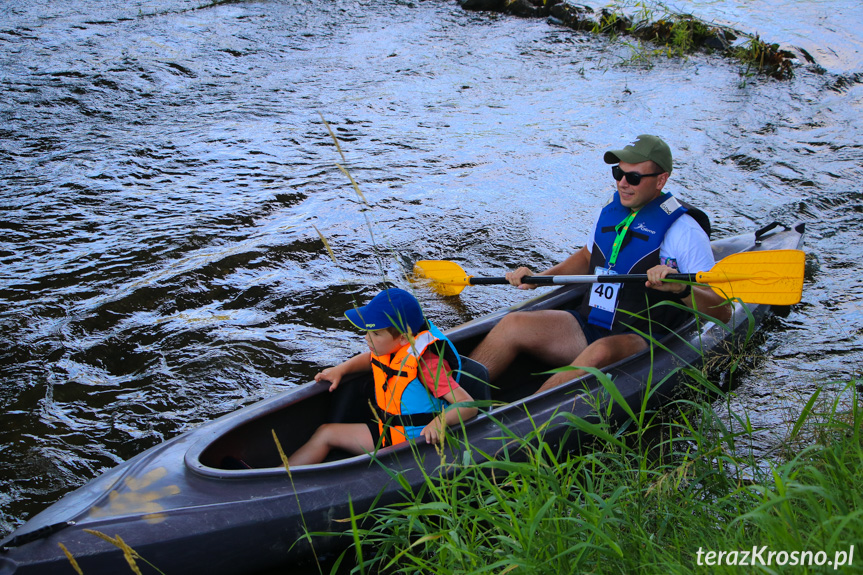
(413, 385)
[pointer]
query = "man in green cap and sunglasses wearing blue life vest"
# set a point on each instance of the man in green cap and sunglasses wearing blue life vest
(641, 230)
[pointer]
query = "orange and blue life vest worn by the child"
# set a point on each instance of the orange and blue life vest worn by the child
(393, 374)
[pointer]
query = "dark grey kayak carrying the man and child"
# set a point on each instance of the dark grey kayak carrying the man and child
(190, 506)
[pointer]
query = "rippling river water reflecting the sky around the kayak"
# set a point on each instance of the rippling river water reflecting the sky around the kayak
(166, 172)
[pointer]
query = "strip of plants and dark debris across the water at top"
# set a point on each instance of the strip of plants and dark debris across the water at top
(668, 33)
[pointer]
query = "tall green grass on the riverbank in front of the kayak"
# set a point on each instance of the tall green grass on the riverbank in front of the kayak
(663, 495)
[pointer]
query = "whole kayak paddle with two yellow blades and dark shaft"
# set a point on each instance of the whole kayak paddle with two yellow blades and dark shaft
(773, 277)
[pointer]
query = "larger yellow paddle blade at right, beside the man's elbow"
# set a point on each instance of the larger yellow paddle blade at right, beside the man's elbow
(773, 277)
